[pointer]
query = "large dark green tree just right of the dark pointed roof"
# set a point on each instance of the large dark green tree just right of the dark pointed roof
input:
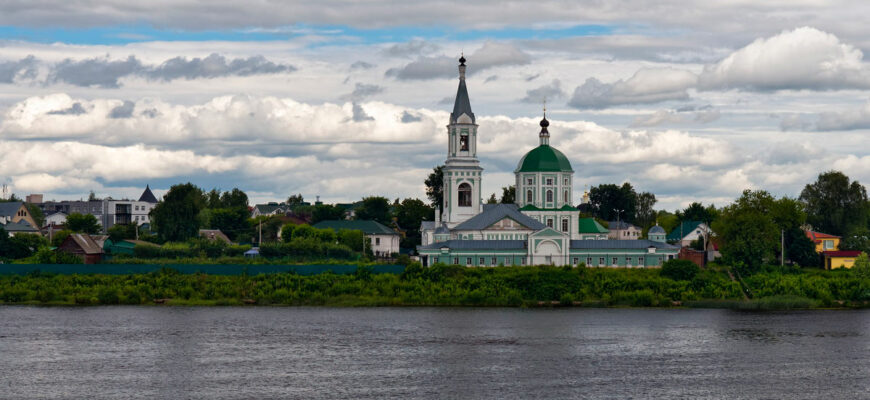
(175, 218)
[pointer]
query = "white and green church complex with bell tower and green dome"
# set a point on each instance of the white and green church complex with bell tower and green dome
(542, 227)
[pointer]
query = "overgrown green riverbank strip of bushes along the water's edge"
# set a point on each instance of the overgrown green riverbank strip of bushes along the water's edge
(450, 286)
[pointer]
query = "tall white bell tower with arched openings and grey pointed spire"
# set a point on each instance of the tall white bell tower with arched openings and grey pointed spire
(462, 171)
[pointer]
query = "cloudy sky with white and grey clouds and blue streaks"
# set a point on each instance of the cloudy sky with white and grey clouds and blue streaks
(692, 101)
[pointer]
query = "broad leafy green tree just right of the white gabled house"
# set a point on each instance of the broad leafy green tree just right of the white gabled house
(747, 231)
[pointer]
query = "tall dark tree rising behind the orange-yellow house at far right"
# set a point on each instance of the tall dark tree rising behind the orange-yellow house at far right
(834, 204)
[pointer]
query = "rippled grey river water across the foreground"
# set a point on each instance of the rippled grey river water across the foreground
(405, 353)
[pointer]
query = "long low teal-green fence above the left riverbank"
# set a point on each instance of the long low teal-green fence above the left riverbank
(211, 269)
